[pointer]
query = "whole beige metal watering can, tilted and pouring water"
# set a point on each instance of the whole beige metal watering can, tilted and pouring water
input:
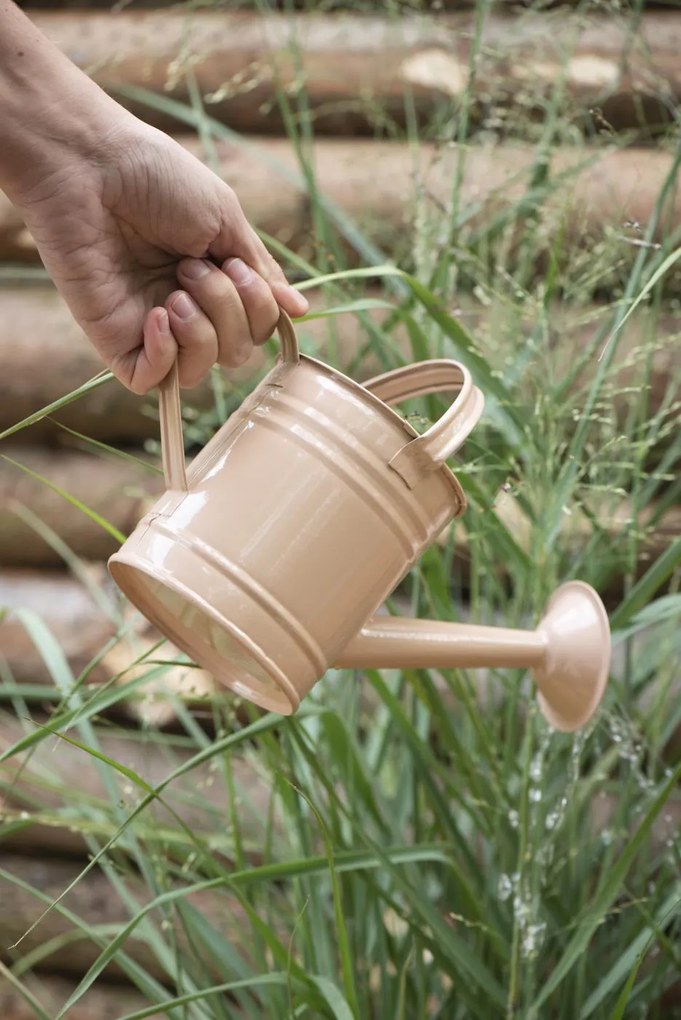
(266, 562)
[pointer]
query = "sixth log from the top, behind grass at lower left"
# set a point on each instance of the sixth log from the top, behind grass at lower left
(40, 789)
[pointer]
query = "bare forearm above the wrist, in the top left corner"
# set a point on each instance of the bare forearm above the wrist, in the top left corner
(49, 110)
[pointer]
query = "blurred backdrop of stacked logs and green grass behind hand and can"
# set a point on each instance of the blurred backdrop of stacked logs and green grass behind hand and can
(415, 845)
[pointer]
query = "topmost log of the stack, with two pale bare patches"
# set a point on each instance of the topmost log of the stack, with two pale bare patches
(361, 72)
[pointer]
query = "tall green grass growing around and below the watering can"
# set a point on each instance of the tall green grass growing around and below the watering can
(428, 847)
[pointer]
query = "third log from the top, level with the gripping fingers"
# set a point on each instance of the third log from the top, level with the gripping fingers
(44, 353)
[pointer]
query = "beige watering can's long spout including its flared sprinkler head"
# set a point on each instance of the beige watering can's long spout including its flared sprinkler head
(569, 653)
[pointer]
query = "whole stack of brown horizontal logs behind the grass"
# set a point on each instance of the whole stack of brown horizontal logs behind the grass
(360, 75)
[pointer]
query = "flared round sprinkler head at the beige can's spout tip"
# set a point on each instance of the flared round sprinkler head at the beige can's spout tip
(573, 677)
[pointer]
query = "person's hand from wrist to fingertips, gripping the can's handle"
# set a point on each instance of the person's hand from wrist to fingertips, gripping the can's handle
(132, 234)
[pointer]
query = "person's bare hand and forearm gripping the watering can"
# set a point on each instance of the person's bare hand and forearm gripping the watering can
(149, 248)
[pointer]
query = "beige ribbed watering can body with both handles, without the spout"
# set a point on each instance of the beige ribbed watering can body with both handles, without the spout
(295, 523)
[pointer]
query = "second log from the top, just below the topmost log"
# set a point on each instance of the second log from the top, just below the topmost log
(589, 196)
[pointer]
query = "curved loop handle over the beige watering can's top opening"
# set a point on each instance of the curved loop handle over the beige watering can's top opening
(429, 452)
